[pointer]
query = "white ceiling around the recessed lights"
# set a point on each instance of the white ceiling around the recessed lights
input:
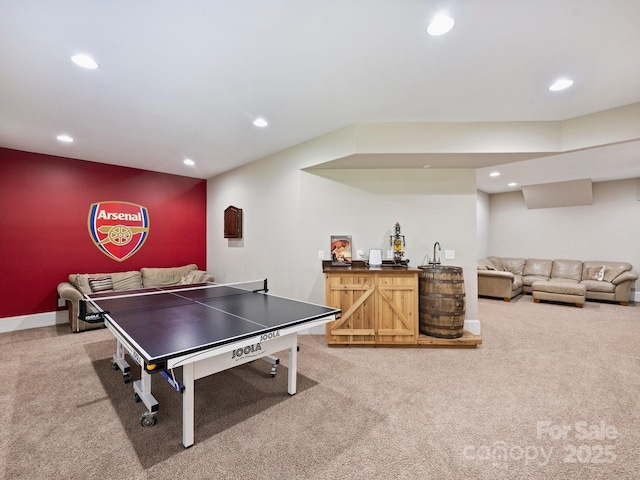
(186, 78)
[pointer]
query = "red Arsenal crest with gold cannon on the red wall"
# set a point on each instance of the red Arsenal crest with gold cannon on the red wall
(118, 229)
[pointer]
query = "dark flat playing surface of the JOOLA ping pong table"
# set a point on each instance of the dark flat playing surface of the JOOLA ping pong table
(168, 322)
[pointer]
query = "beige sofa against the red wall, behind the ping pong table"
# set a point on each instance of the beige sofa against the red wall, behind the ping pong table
(87, 283)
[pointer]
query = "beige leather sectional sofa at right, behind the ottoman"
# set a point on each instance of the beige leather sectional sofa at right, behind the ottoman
(505, 278)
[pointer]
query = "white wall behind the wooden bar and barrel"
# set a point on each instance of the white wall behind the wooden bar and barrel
(290, 214)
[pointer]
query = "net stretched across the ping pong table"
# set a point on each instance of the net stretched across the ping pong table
(94, 308)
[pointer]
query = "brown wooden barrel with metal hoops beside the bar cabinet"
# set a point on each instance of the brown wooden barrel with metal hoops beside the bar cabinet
(442, 301)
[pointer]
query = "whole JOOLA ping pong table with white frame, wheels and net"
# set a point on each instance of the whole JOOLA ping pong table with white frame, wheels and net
(203, 328)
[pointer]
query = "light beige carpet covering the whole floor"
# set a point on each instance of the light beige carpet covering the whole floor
(553, 392)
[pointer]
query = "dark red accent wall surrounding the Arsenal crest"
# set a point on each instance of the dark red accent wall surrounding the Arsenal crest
(44, 209)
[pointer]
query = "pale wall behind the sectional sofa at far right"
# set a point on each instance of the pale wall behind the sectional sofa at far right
(606, 230)
